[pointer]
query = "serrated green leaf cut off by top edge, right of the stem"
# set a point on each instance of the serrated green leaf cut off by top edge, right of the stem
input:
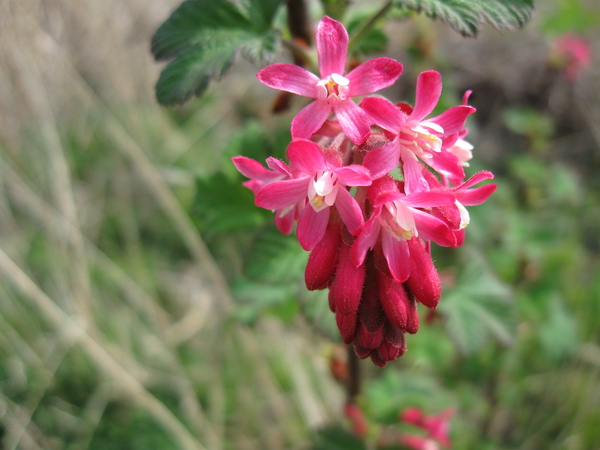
(467, 16)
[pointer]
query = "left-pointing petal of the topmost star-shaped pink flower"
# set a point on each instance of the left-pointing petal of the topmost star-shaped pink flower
(290, 78)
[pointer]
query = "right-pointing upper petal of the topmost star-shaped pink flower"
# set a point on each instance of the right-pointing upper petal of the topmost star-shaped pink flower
(373, 76)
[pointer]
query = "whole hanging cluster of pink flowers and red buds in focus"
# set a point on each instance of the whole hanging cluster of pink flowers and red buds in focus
(369, 187)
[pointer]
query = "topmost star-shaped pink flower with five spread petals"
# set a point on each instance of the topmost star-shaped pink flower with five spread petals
(332, 90)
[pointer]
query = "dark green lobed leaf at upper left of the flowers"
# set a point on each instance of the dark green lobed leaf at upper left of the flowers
(203, 38)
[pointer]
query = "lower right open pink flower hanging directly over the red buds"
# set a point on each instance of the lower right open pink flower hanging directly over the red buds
(398, 218)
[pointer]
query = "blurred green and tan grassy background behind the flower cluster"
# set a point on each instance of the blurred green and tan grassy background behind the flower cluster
(146, 303)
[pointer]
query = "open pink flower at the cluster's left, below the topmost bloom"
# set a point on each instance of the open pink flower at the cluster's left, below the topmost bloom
(319, 182)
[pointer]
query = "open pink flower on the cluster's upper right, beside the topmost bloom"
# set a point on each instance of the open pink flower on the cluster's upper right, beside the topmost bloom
(416, 138)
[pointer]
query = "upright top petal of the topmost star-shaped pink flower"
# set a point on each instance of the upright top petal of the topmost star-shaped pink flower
(332, 47)
